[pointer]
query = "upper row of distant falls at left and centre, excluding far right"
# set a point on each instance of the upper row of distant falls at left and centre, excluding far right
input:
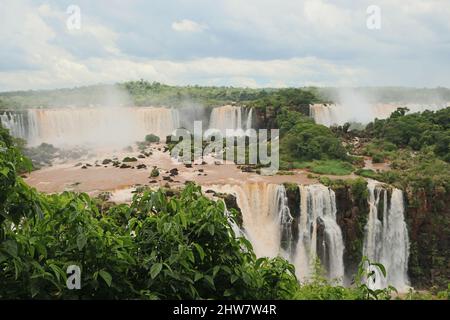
(118, 126)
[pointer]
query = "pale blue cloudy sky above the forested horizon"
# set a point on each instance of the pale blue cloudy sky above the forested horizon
(251, 43)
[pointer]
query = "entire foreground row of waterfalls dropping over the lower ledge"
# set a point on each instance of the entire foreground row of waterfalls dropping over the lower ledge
(314, 235)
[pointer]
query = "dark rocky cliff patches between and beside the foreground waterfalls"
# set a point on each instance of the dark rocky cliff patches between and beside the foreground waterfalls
(428, 220)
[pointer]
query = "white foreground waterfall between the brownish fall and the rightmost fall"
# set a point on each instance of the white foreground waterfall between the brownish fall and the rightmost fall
(318, 211)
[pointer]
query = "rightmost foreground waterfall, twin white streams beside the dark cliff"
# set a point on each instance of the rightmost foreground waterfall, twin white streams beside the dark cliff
(386, 237)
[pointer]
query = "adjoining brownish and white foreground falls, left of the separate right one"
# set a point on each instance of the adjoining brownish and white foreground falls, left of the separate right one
(267, 223)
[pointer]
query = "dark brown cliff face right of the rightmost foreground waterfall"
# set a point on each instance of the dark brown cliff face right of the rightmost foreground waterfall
(428, 220)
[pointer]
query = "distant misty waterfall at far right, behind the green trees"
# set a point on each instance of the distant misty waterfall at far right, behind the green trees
(338, 114)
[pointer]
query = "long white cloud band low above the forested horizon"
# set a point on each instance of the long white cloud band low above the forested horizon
(205, 71)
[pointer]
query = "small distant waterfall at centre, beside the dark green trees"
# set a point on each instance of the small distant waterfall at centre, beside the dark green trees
(229, 117)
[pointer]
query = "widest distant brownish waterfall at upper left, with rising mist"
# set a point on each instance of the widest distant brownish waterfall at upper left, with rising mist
(115, 126)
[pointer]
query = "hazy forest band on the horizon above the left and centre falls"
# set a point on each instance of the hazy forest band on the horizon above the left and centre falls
(144, 93)
